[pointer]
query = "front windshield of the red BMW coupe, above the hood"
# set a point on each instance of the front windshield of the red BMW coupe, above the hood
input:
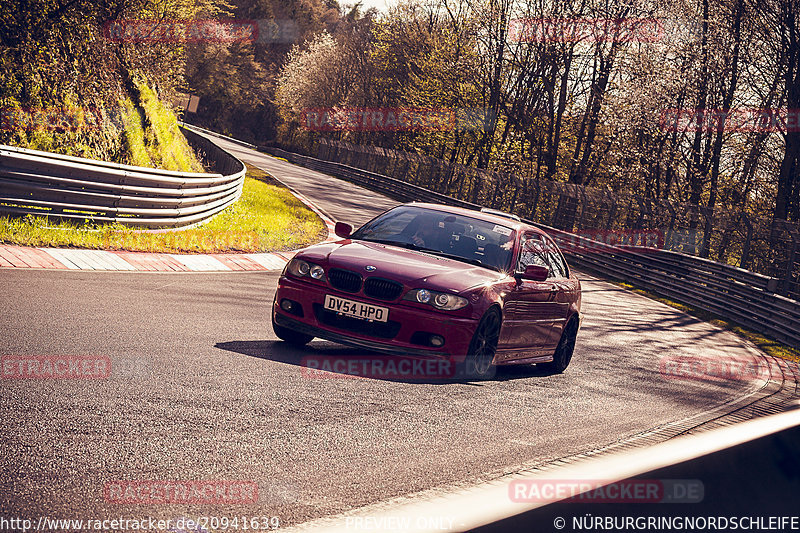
(464, 238)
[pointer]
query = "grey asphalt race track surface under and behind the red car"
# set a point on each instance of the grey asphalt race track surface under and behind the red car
(201, 389)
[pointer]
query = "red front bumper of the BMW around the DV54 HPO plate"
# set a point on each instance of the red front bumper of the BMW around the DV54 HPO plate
(396, 337)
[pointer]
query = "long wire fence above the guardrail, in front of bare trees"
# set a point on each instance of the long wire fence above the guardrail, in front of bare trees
(767, 246)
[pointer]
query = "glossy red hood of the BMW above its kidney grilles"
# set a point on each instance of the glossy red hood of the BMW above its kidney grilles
(410, 267)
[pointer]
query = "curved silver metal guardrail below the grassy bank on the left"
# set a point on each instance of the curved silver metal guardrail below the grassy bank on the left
(44, 183)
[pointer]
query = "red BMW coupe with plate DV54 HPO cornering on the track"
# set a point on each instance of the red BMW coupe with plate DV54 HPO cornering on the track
(478, 287)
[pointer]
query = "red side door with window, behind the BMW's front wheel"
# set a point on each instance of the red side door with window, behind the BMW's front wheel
(531, 307)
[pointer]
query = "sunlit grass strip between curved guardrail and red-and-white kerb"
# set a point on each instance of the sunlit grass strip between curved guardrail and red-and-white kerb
(266, 218)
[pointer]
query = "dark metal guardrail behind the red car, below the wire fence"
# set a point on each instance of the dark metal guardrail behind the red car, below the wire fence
(744, 297)
